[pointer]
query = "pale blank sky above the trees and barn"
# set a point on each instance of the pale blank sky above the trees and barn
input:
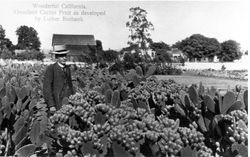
(172, 20)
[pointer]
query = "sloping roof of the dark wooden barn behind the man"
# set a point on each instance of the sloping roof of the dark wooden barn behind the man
(72, 39)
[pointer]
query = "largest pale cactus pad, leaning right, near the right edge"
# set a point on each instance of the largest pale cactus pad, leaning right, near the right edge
(228, 101)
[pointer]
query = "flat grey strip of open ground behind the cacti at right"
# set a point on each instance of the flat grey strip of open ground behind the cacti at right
(218, 83)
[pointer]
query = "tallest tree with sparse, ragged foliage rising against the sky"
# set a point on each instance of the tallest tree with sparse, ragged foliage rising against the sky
(139, 28)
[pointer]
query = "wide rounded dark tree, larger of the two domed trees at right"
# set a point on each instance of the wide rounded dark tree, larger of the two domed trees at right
(199, 46)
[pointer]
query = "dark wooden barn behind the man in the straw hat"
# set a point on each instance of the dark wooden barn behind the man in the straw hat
(79, 45)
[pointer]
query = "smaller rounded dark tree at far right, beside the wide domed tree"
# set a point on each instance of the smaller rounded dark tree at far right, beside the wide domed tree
(230, 50)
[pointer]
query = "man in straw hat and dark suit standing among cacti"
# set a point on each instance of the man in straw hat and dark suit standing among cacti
(57, 80)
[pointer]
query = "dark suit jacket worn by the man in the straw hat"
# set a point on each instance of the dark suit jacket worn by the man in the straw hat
(57, 85)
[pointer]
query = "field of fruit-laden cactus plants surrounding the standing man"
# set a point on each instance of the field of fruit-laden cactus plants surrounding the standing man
(136, 115)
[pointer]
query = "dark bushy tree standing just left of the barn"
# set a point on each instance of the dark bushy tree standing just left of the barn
(28, 38)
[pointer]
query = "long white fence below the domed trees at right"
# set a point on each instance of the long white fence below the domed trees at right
(216, 66)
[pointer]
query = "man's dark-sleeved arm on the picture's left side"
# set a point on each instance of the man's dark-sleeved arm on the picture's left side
(47, 87)
